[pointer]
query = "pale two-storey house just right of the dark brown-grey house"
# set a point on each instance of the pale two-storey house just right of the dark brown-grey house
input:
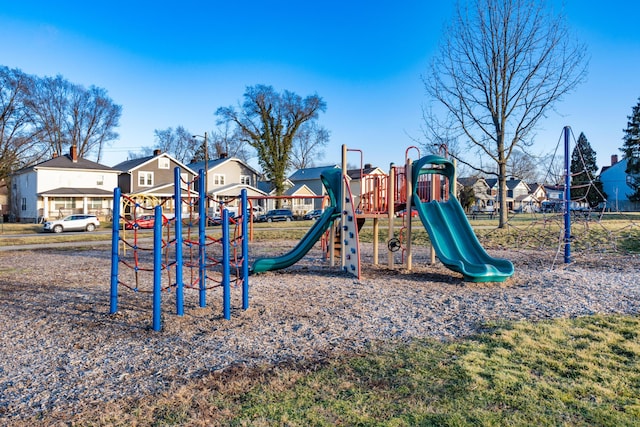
(226, 177)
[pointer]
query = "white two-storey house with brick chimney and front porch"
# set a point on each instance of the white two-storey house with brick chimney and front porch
(62, 186)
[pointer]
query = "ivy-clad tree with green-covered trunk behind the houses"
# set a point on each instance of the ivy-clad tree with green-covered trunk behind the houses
(269, 121)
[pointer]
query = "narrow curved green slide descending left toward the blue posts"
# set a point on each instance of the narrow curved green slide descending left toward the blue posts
(332, 179)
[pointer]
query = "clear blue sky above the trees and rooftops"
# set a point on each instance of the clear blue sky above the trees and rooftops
(175, 64)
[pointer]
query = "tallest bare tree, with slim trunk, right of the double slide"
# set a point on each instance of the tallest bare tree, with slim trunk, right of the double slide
(502, 66)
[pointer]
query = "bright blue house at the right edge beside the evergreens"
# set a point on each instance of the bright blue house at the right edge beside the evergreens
(616, 185)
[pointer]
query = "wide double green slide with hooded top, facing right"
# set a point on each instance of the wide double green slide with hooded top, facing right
(452, 237)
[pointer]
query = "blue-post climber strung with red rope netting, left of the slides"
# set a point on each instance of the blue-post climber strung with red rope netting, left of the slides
(179, 246)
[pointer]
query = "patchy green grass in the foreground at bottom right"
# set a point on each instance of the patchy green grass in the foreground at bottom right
(578, 372)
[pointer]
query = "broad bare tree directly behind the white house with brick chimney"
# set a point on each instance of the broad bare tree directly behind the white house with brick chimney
(67, 114)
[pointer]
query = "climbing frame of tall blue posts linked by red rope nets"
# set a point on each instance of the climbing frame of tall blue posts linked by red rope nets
(213, 270)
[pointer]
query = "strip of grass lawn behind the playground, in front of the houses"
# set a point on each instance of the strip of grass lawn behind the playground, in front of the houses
(614, 232)
